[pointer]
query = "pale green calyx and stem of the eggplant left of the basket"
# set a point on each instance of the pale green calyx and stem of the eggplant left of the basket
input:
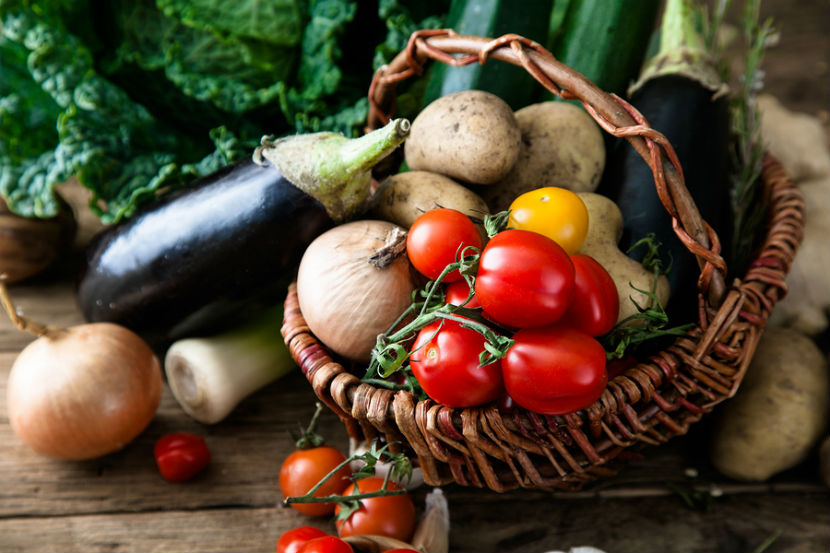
(332, 168)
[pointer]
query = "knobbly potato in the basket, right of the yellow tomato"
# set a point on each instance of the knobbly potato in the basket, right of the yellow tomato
(605, 227)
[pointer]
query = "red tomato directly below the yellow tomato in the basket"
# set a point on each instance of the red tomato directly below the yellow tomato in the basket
(524, 279)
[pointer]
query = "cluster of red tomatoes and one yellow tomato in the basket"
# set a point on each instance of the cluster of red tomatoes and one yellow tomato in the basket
(533, 285)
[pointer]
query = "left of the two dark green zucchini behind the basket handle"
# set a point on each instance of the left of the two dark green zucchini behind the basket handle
(492, 18)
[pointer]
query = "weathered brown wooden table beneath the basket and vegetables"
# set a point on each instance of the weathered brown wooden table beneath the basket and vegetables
(670, 501)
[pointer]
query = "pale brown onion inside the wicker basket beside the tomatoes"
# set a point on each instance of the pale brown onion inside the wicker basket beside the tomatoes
(345, 299)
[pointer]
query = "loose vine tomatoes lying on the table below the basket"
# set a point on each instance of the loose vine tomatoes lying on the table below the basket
(386, 515)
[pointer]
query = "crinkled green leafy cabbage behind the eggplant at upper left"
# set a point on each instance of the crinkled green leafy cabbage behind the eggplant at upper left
(135, 97)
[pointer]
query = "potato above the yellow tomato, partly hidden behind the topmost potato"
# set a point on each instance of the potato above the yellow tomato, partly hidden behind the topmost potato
(561, 146)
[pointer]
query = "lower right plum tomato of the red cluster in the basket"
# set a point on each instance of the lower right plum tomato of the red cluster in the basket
(554, 370)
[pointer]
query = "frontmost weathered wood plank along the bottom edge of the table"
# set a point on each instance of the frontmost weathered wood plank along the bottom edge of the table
(796, 522)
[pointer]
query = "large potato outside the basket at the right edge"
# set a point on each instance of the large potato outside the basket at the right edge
(780, 411)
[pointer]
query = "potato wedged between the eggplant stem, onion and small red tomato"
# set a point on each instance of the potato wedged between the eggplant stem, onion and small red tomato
(403, 197)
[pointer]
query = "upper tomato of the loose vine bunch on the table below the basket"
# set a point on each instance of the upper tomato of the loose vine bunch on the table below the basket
(304, 468)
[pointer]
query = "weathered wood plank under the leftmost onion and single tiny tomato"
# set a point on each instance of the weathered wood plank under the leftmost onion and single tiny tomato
(247, 449)
